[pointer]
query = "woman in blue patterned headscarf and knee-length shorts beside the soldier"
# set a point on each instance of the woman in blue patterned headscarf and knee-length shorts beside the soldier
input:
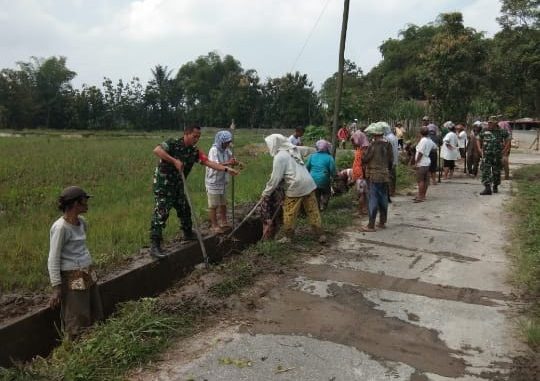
(216, 181)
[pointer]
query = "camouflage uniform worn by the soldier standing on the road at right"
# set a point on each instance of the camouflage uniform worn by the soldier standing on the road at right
(492, 142)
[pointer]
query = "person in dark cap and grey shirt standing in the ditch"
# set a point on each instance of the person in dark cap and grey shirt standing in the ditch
(69, 264)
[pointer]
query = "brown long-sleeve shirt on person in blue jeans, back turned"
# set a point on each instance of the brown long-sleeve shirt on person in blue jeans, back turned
(378, 160)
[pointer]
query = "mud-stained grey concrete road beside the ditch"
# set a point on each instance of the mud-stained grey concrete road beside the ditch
(427, 298)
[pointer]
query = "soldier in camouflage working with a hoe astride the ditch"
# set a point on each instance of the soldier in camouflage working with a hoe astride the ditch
(176, 155)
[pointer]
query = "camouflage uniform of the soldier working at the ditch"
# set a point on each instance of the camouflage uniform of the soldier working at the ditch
(169, 189)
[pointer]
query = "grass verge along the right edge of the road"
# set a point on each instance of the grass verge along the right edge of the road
(526, 245)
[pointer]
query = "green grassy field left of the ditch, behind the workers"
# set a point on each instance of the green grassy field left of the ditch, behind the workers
(117, 171)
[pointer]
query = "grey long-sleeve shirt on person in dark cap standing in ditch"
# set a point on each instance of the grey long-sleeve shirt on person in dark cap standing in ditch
(68, 249)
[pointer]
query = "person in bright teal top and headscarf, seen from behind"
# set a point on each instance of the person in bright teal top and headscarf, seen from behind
(322, 167)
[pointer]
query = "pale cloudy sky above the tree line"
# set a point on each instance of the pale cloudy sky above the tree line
(122, 39)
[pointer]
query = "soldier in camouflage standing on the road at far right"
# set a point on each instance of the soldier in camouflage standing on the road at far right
(492, 143)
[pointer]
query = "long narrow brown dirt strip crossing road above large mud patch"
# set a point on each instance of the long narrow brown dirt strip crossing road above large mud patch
(410, 286)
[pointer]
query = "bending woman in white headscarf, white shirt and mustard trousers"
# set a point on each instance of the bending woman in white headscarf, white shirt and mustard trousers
(289, 169)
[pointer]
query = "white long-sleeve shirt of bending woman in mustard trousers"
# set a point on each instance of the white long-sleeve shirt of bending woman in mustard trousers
(297, 181)
